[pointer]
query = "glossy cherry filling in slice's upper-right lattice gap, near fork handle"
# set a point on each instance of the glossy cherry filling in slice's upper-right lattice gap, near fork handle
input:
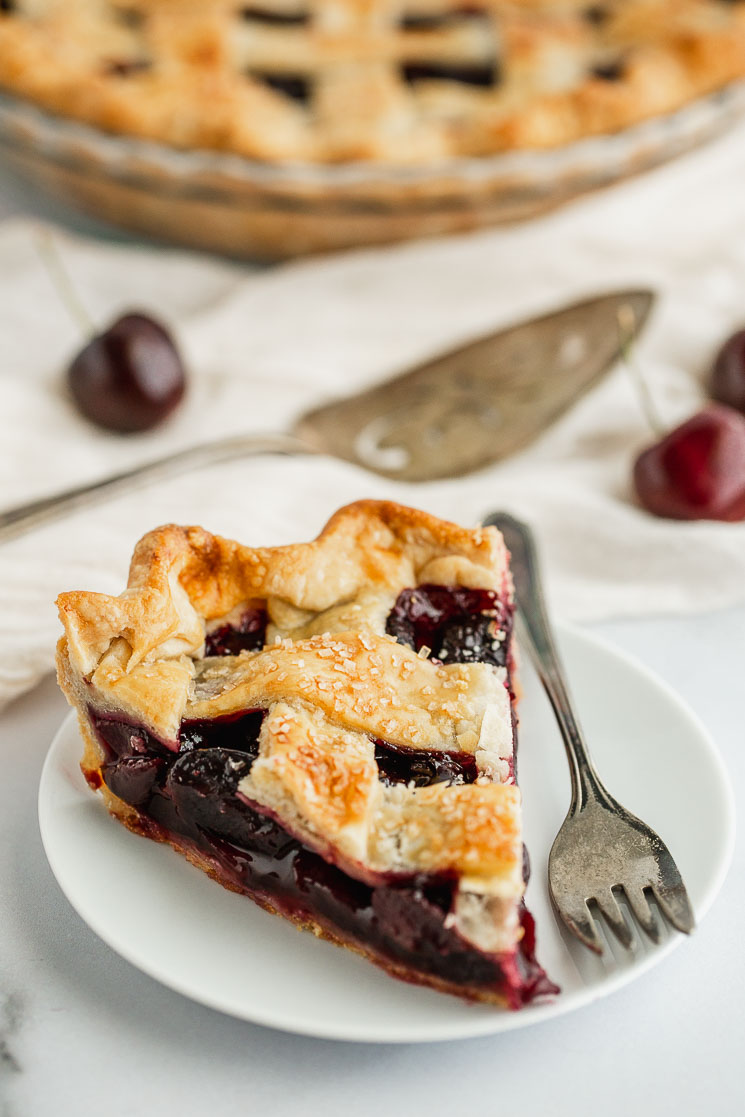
(459, 625)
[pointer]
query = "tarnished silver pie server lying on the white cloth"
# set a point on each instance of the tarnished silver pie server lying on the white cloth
(446, 418)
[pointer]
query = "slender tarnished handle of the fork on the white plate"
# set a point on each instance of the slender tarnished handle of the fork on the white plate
(534, 632)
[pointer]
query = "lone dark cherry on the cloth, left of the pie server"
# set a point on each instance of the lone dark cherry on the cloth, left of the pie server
(130, 378)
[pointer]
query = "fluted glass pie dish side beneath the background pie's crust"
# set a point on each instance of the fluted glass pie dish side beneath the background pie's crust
(249, 209)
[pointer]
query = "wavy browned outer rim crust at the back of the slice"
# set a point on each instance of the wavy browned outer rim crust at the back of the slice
(183, 577)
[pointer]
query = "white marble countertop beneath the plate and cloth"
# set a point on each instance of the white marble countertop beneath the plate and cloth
(83, 1033)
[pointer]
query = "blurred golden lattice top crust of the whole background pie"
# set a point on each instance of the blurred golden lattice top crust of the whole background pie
(206, 75)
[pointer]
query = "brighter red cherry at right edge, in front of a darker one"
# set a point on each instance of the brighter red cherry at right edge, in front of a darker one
(698, 472)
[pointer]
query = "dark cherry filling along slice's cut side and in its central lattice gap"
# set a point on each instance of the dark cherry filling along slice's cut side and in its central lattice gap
(193, 796)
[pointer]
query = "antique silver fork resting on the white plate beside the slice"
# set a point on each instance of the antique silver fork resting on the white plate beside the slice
(601, 849)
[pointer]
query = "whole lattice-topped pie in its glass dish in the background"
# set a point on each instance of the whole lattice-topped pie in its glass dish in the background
(280, 128)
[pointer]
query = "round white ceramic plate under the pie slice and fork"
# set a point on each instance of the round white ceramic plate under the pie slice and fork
(180, 928)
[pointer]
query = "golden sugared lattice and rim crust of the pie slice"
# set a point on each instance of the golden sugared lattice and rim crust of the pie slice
(332, 683)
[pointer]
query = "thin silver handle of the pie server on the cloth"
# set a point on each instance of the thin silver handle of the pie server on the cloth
(27, 517)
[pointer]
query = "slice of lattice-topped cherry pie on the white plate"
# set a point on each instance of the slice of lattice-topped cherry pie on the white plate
(328, 729)
